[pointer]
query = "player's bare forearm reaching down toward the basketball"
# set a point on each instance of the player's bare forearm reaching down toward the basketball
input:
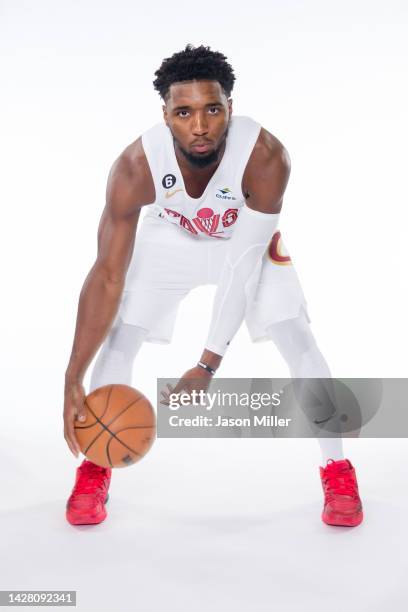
(98, 304)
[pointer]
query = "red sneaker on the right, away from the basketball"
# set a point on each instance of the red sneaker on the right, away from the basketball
(342, 503)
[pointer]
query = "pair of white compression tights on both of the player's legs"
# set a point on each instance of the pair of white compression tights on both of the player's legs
(293, 338)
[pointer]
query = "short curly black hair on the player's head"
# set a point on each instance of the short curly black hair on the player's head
(194, 63)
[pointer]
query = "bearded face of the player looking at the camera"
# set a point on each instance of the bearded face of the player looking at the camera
(198, 114)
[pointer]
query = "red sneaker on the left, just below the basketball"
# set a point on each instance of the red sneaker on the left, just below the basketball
(86, 504)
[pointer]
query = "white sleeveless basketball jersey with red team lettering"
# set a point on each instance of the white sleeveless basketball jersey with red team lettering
(213, 214)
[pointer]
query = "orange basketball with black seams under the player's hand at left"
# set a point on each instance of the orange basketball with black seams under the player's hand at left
(120, 426)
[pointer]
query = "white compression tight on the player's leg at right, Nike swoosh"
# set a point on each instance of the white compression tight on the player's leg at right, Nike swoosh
(297, 345)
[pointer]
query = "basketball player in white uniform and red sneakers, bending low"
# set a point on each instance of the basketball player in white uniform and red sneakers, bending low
(212, 184)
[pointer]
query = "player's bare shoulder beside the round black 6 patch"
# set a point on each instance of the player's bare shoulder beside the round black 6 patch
(130, 184)
